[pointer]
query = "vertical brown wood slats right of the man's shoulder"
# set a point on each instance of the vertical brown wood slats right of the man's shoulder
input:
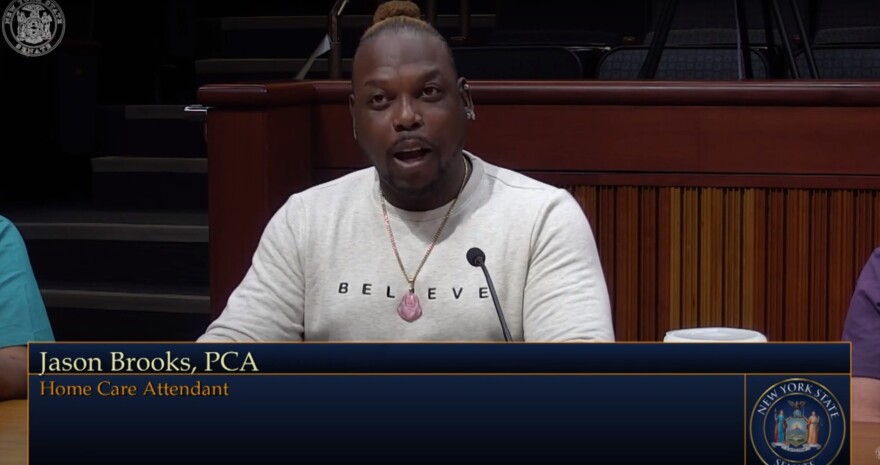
(752, 258)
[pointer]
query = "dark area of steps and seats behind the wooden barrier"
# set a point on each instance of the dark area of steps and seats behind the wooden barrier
(106, 175)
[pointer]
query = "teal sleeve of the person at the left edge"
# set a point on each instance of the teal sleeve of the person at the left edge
(23, 315)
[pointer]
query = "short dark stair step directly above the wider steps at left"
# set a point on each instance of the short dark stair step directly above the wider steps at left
(153, 183)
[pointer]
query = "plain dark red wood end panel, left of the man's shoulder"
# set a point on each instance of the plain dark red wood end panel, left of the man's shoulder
(252, 170)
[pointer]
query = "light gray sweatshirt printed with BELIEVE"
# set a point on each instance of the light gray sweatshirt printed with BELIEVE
(325, 270)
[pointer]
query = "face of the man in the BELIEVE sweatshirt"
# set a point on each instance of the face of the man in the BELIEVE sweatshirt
(408, 110)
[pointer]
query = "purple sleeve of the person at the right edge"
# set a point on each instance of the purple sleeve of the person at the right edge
(862, 326)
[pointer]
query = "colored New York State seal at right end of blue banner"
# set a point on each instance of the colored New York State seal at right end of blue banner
(797, 421)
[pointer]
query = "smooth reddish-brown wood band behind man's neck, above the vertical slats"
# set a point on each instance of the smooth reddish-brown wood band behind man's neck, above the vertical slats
(733, 140)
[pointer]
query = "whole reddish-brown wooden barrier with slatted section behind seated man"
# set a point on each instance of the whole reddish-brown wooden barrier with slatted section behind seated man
(741, 204)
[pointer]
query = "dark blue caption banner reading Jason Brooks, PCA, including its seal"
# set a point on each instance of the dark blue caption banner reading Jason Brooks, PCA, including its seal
(523, 403)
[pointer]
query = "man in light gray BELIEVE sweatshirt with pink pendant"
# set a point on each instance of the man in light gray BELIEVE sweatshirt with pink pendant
(379, 255)
